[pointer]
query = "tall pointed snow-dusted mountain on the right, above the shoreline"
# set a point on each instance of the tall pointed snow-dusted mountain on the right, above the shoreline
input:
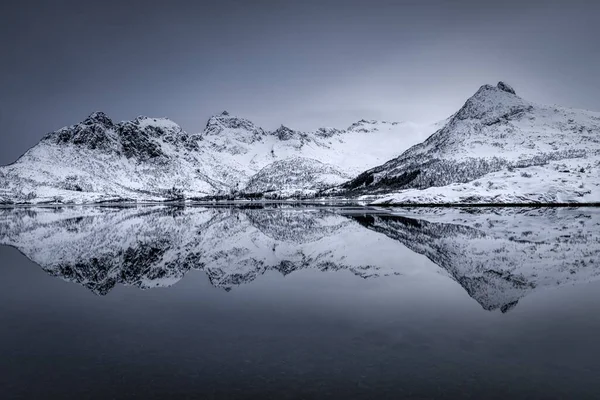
(498, 148)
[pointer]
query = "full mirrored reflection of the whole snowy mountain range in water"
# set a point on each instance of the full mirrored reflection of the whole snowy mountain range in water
(498, 255)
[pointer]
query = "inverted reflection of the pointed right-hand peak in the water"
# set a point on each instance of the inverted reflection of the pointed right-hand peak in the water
(500, 255)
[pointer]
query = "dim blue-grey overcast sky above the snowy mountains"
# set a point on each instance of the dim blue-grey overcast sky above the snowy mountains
(302, 63)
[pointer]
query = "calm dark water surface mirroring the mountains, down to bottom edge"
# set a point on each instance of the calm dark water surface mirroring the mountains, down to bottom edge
(298, 302)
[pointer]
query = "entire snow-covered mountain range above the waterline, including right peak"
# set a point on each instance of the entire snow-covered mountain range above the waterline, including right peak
(498, 148)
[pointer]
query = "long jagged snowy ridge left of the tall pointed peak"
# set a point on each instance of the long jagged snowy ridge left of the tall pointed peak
(149, 159)
